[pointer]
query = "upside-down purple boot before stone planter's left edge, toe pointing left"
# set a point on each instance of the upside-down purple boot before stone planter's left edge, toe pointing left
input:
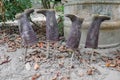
(75, 33)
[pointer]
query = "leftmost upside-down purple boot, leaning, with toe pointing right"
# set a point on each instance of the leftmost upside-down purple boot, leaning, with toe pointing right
(26, 31)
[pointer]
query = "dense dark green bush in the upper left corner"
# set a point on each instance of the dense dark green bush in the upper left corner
(11, 7)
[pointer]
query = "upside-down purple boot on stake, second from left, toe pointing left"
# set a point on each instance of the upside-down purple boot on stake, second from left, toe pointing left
(52, 33)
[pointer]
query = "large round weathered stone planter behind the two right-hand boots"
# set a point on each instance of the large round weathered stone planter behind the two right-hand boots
(109, 31)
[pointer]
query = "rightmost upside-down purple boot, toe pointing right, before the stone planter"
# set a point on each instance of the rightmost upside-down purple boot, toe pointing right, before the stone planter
(93, 31)
